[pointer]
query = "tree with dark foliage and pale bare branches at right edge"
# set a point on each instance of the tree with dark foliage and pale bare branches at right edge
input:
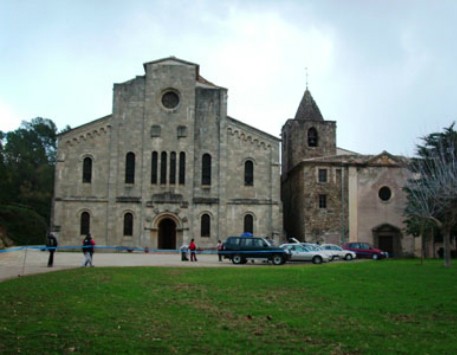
(432, 193)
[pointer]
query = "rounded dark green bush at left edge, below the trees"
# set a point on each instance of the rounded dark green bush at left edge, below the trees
(22, 225)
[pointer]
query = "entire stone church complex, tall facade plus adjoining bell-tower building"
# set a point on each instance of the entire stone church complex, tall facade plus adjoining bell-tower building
(168, 165)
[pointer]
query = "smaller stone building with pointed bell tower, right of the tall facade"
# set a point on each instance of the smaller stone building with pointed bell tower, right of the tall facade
(332, 195)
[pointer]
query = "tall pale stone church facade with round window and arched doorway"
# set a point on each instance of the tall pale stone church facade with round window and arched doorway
(166, 166)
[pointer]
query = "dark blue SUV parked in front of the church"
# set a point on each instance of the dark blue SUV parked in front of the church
(239, 249)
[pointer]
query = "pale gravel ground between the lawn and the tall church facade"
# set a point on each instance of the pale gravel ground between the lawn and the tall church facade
(27, 262)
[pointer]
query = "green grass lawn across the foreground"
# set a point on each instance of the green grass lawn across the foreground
(391, 306)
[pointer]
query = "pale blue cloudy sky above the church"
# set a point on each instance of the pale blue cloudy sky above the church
(384, 70)
